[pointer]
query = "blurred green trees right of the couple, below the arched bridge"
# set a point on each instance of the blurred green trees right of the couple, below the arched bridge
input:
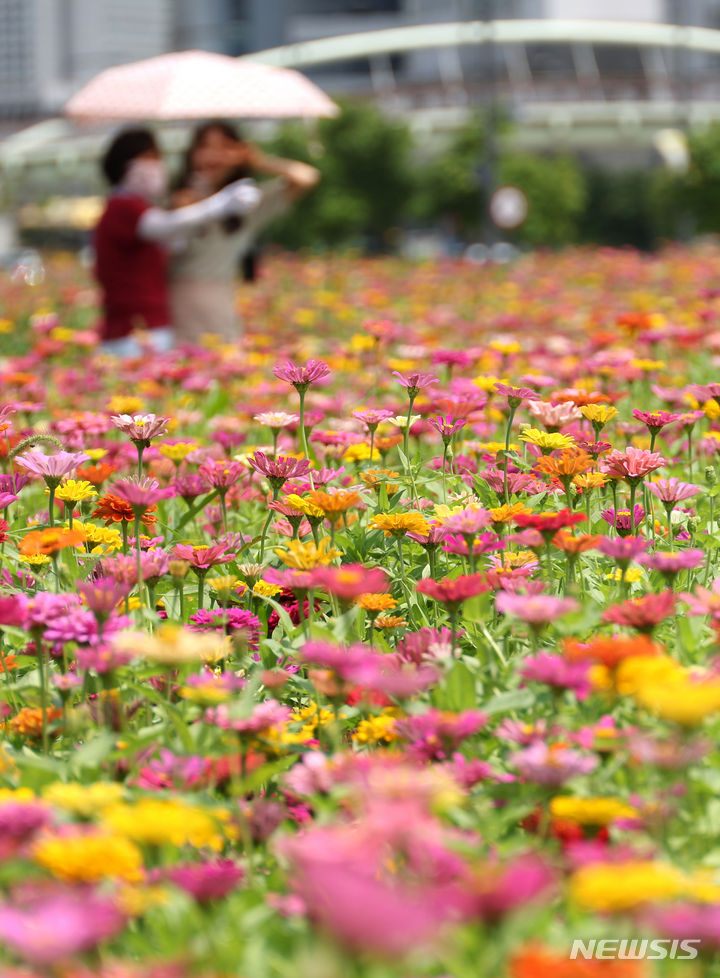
(372, 181)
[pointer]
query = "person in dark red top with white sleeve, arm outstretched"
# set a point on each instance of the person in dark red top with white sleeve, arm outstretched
(133, 235)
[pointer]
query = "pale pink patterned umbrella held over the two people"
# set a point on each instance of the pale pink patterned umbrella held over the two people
(198, 85)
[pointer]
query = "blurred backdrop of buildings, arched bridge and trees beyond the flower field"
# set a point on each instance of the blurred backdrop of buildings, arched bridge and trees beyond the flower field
(465, 124)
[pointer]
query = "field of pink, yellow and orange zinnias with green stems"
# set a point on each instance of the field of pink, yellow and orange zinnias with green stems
(384, 645)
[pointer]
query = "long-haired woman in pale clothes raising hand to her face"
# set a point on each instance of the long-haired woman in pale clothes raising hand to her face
(204, 269)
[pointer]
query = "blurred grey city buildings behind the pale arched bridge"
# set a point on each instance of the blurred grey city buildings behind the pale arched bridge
(49, 48)
